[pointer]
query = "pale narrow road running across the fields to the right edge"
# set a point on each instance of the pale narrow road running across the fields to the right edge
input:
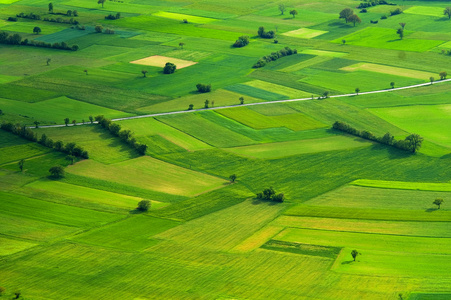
(252, 104)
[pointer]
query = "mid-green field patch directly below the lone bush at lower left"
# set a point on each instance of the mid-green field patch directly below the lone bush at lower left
(134, 233)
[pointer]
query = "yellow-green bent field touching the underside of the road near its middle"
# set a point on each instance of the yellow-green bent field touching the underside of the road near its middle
(248, 117)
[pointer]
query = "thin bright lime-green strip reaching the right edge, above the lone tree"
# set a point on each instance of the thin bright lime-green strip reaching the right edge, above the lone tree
(421, 186)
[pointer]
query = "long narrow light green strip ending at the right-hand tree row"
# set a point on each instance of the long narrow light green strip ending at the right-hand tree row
(284, 149)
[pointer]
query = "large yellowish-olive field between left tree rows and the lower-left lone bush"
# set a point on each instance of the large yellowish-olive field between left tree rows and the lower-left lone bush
(153, 175)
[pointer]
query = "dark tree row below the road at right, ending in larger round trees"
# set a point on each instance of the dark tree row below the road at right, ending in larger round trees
(411, 143)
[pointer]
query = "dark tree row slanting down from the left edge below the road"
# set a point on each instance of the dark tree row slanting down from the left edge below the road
(27, 133)
